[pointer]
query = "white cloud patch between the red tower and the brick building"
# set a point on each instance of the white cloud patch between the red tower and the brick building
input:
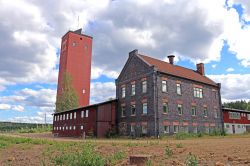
(101, 92)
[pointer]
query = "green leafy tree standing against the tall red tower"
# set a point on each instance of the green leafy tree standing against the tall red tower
(68, 98)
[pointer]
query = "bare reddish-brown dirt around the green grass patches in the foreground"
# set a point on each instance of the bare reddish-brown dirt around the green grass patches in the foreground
(229, 151)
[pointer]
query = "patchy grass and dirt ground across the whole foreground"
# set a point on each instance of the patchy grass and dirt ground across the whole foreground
(43, 149)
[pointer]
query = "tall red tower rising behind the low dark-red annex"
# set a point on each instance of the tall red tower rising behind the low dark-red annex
(75, 59)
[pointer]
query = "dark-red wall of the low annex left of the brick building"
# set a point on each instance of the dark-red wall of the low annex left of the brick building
(101, 119)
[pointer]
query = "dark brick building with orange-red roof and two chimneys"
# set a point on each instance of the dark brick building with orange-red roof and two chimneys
(156, 97)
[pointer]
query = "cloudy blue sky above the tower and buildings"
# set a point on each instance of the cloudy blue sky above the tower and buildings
(216, 32)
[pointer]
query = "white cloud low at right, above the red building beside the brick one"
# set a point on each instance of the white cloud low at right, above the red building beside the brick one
(233, 86)
